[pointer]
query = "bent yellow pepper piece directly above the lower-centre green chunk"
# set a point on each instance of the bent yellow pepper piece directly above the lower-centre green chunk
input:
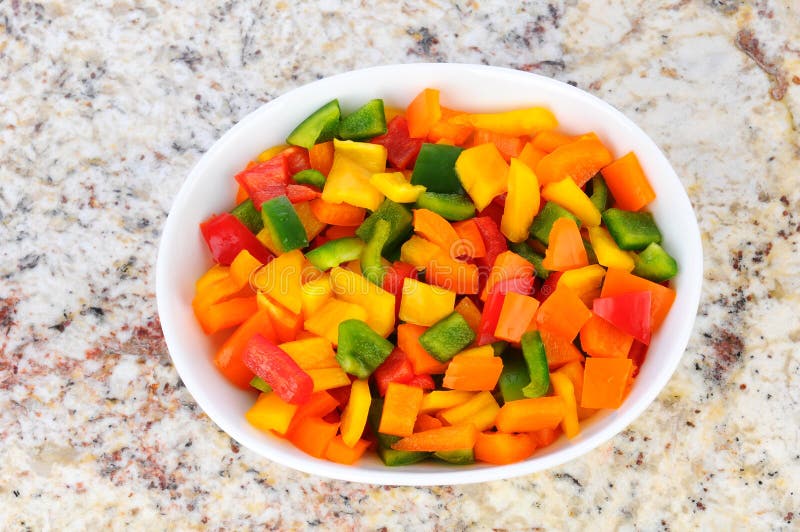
(379, 304)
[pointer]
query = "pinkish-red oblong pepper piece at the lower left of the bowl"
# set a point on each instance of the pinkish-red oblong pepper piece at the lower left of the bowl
(278, 369)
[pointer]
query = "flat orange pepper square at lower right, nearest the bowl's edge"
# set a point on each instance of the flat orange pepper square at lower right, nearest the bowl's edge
(605, 381)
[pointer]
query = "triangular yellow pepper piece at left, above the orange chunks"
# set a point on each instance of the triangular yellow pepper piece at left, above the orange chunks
(281, 279)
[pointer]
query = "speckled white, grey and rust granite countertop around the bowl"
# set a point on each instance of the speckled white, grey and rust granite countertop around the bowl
(106, 106)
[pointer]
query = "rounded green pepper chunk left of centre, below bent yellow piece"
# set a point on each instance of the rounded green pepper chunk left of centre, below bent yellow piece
(361, 349)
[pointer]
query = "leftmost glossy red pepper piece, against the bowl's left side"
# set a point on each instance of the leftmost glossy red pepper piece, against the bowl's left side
(226, 236)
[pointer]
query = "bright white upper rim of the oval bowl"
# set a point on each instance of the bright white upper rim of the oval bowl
(391, 476)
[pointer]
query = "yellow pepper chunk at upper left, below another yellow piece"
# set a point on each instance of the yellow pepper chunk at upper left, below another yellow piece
(348, 182)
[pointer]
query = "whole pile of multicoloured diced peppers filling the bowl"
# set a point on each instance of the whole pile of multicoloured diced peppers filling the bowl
(433, 283)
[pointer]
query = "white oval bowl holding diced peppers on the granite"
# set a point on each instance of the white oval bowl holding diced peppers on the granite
(210, 188)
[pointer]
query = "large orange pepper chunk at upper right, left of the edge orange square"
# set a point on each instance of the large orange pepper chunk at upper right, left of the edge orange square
(579, 160)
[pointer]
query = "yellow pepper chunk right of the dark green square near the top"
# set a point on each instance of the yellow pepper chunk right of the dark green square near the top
(483, 173)
